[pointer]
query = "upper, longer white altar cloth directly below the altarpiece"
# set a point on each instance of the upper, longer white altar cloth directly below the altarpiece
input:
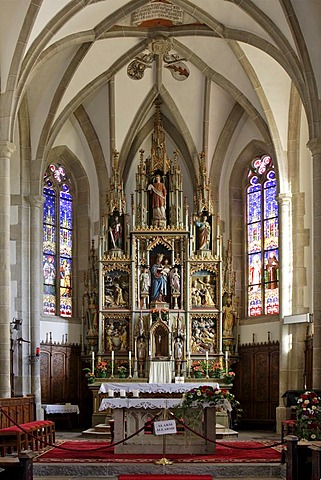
(130, 387)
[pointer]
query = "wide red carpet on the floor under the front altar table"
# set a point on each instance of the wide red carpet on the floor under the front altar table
(82, 451)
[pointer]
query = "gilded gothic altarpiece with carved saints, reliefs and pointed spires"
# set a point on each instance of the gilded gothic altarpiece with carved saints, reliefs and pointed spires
(160, 293)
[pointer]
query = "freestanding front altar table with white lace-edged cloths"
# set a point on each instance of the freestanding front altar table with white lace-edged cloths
(130, 414)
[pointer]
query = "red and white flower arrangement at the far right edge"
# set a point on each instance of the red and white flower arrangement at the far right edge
(308, 416)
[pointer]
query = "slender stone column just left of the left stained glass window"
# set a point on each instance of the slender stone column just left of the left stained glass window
(36, 282)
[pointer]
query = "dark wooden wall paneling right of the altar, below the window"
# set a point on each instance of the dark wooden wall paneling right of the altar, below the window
(257, 383)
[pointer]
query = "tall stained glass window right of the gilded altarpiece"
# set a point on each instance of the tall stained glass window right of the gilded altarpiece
(262, 239)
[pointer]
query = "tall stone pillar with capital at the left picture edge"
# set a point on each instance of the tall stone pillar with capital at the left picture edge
(6, 150)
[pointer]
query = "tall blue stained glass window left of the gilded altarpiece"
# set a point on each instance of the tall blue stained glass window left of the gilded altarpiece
(57, 242)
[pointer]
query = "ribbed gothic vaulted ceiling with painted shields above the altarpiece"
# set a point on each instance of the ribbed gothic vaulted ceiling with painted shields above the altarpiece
(86, 73)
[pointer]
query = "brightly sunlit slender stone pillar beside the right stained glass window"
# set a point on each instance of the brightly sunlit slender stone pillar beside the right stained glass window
(285, 279)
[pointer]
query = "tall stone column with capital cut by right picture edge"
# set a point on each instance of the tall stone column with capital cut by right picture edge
(315, 147)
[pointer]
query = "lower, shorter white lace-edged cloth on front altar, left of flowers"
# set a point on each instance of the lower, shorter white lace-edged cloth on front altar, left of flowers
(139, 403)
